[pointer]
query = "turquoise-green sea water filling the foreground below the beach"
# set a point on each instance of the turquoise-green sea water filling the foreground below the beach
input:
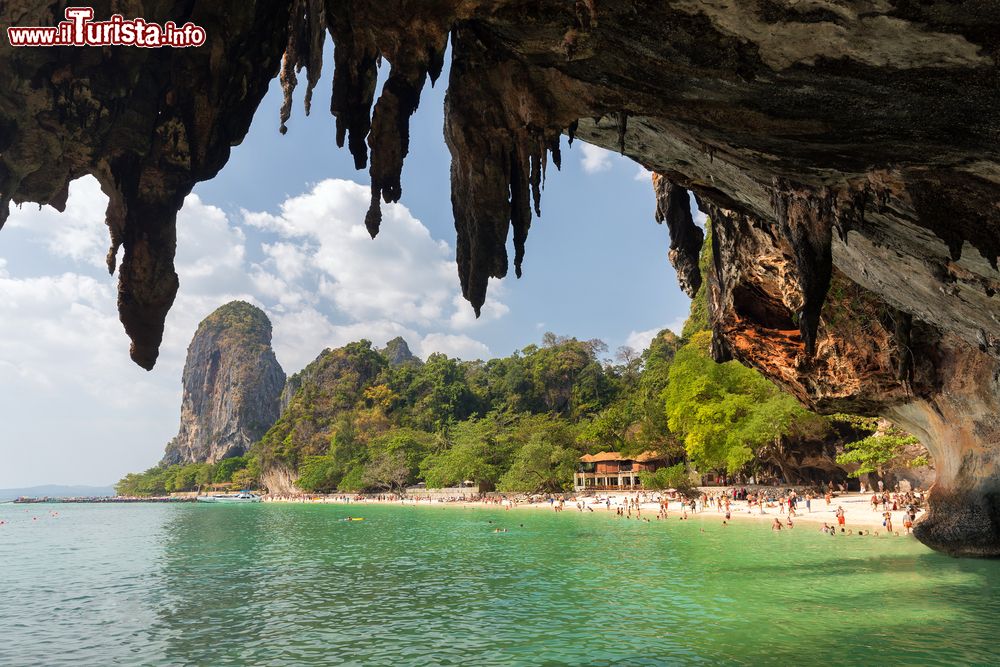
(296, 585)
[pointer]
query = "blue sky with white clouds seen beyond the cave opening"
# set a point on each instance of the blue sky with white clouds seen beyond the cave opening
(282, 226)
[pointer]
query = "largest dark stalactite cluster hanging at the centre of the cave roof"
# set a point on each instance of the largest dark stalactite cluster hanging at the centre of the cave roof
(499, 157)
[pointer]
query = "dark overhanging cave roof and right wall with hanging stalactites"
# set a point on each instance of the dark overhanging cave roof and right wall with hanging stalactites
(847, 151)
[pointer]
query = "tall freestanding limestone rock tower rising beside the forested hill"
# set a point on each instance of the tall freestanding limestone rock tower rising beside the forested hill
(232, 383)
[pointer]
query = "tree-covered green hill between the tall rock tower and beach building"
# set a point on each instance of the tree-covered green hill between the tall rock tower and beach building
(360, 420)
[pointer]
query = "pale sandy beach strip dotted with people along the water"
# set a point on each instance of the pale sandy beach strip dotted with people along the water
(857, 509)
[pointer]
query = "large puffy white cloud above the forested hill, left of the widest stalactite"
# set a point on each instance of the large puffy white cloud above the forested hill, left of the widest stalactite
(403, 275)
